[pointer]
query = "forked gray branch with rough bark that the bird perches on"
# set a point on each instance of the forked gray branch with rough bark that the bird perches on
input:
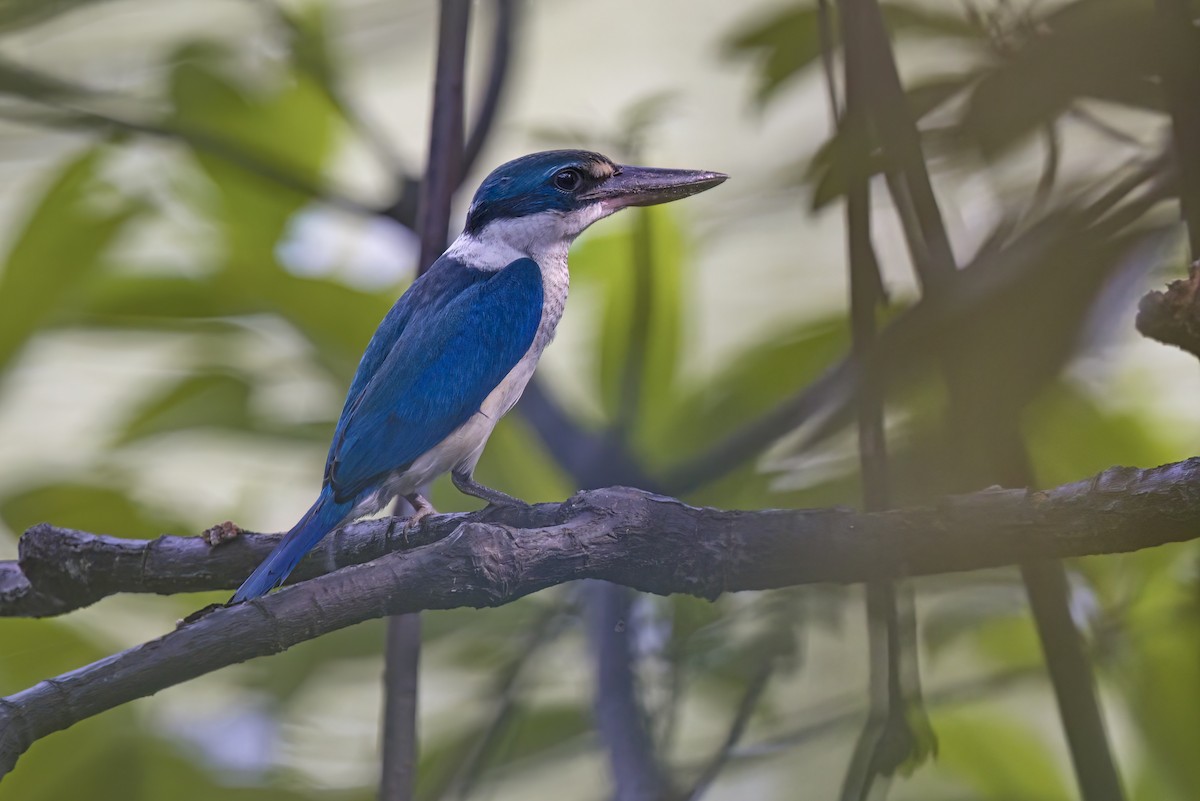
(485, 559)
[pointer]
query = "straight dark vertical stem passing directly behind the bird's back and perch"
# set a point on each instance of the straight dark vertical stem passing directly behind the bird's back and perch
(442, 174)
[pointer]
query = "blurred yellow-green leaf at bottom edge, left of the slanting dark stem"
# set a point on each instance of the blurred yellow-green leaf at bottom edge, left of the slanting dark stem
(998, 758)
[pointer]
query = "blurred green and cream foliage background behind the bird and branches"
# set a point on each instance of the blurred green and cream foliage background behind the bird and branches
(205, 214)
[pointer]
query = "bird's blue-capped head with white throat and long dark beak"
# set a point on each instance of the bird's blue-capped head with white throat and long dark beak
(542, 202)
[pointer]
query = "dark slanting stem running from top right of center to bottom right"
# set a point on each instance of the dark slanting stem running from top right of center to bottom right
(1000, 445)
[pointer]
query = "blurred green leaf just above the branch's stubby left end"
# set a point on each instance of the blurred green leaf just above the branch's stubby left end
(89, 508)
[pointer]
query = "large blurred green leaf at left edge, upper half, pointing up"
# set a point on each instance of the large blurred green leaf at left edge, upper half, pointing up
(64, 240)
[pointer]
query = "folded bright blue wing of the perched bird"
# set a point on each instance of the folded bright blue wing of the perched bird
(451, 346)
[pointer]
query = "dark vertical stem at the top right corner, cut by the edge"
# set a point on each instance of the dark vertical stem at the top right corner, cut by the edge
(1181, 83)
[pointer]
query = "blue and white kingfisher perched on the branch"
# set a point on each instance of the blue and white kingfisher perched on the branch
(458, 350)
